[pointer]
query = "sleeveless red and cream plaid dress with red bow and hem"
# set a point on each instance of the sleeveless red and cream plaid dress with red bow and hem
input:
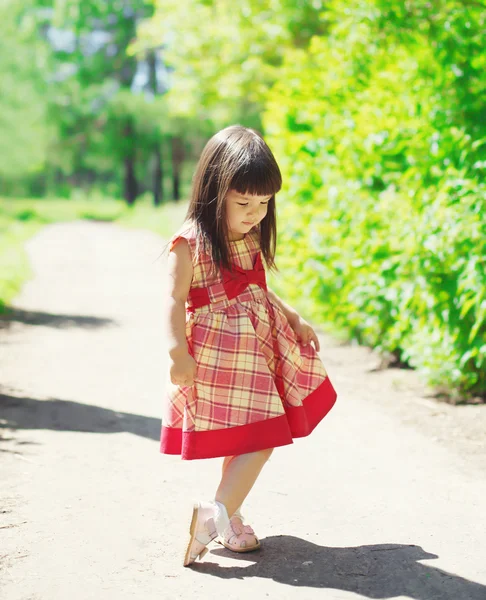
(256, 385)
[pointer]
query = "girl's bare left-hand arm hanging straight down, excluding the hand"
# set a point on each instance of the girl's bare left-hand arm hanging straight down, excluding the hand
(179, 279)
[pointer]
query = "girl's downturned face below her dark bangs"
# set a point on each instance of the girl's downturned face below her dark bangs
(244, 211)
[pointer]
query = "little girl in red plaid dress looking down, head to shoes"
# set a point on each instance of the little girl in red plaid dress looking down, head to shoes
(243, 375)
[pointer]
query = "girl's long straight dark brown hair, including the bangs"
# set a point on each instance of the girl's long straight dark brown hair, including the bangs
(235, 158)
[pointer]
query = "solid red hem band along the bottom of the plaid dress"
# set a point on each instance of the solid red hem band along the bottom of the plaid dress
(299, 421)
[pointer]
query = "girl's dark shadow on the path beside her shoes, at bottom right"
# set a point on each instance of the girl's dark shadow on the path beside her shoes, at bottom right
(378, 571)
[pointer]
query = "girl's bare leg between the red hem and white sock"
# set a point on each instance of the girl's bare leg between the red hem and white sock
(239, 474)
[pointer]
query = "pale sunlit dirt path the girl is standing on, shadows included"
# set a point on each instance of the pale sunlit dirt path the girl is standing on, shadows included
(386, 498)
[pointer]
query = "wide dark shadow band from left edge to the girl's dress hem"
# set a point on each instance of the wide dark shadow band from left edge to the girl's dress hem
(63, 415)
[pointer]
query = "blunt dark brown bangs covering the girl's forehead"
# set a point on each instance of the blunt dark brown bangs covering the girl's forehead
(258, 176)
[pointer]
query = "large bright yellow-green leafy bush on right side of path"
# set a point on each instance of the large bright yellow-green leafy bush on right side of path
(384, 170)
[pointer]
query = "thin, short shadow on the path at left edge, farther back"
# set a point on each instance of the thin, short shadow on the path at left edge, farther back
(34, 317)
